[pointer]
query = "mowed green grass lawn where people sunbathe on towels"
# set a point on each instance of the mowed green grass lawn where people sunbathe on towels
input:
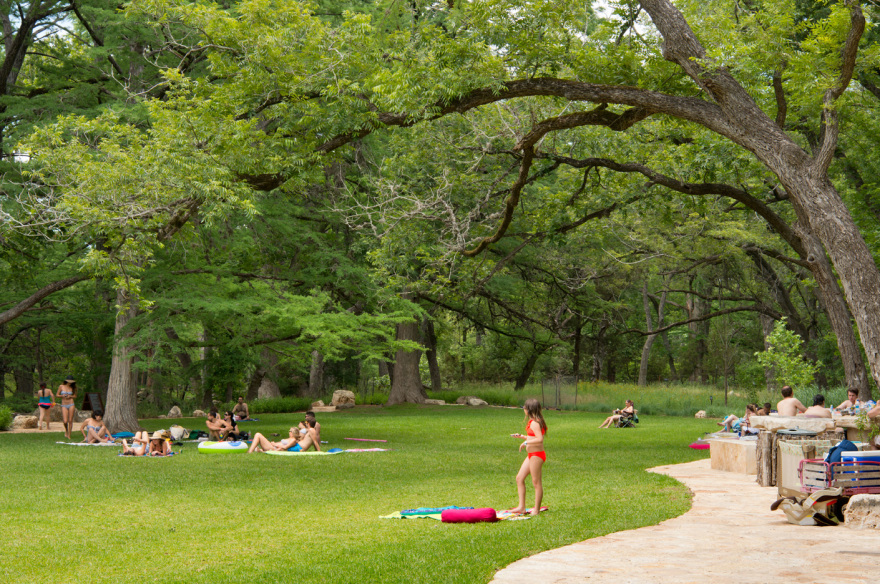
(77, 514)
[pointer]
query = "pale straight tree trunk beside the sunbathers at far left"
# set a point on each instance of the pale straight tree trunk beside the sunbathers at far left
(121, 404)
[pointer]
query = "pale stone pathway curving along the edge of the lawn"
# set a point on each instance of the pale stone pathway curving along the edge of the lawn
(729, 535)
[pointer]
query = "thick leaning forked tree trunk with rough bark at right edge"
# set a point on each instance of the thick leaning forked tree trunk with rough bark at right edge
(816, 202)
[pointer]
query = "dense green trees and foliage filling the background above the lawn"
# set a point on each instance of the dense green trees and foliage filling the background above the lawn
(201, 197)
